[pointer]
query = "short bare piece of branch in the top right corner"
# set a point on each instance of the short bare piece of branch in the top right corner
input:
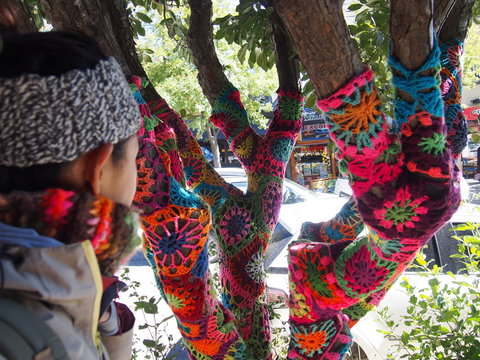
(458, 21)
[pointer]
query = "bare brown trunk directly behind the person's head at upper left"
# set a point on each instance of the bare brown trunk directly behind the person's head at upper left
(106, 22)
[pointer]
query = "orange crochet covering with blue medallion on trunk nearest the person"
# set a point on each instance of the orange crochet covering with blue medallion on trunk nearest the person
(176, 224)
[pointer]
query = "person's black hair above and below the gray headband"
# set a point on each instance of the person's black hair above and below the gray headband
(45, 53)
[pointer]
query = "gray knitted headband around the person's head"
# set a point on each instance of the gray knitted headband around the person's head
(55, 119)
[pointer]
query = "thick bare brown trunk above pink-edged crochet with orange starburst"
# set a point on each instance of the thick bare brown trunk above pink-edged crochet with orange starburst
(322, 41)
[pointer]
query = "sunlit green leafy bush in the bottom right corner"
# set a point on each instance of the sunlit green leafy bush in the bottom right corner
(443, 320)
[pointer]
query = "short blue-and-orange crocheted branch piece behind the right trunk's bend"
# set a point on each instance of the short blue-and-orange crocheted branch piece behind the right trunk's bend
(345, 226)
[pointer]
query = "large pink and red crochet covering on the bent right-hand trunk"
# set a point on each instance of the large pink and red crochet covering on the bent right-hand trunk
(406, 187)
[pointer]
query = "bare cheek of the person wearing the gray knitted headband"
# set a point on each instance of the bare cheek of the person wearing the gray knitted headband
(120, 178)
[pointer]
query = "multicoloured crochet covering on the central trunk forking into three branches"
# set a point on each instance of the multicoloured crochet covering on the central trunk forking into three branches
(243, 222)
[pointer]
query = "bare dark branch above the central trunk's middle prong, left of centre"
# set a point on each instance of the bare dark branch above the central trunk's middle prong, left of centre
(211, 77)
